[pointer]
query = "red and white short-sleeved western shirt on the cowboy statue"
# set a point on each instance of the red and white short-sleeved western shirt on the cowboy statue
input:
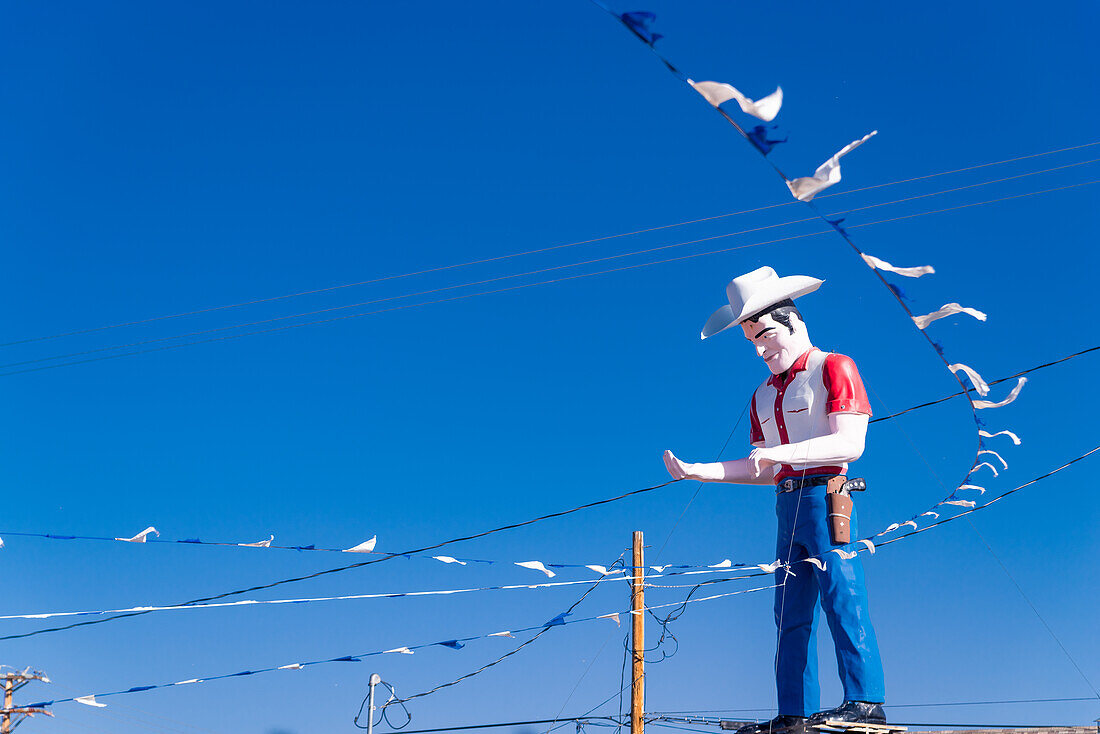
(795, 407)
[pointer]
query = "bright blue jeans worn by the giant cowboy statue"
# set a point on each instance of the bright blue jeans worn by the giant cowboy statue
(804, 533)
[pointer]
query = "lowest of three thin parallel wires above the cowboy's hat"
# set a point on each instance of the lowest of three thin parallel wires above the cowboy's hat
(540, 283)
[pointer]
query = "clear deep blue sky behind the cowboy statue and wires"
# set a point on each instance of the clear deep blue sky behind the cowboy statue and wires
(162, 160)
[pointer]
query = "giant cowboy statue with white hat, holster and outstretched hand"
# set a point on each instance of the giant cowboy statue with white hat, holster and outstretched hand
(809, 420)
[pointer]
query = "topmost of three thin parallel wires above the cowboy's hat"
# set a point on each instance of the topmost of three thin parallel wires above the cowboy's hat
(530, 253)
